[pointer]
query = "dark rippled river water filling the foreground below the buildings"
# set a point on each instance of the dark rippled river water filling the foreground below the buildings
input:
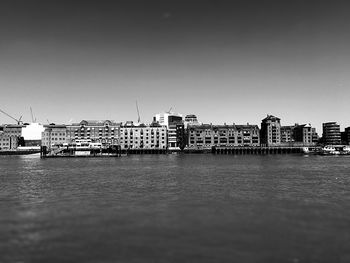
(175, 208)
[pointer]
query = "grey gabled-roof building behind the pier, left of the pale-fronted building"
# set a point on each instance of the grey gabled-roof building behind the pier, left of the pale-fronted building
(106, 132)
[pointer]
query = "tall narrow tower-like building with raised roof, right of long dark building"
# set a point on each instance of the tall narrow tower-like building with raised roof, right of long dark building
(270, 133)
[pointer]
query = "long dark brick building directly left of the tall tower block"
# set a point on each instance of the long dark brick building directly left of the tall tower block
(206, 136)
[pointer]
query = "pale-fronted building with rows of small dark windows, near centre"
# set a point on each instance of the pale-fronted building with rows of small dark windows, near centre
(143, 136)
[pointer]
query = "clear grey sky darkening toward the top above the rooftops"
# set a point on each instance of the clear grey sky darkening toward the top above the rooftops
(225, 61)
